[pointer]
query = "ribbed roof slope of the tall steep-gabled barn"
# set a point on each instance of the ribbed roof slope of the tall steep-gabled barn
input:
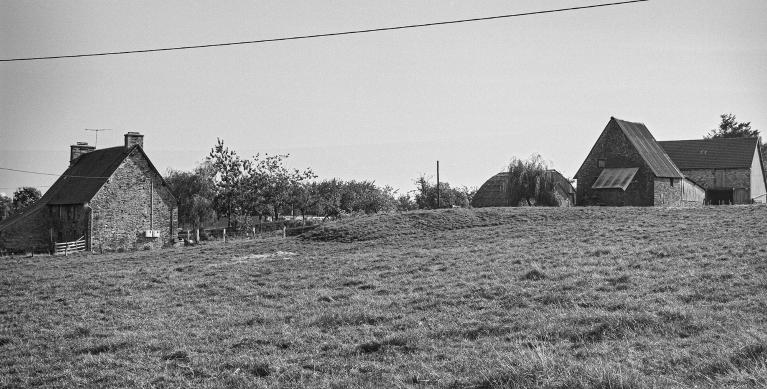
(654, 155)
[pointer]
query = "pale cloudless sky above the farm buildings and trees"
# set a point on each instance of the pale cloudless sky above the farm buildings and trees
(381, 106)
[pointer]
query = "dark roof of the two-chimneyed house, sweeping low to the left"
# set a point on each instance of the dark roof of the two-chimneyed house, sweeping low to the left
(83, 179)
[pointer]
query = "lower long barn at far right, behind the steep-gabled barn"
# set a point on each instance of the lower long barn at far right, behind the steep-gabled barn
(730, 169)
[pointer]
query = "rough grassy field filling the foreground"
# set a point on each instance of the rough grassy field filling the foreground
(541, 298)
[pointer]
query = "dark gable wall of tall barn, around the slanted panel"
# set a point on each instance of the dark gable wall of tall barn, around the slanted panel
(618, 152)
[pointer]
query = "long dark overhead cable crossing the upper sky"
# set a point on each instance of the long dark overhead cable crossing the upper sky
(324, 35)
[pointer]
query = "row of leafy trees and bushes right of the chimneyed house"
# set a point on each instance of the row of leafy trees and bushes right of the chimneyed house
(246, 190)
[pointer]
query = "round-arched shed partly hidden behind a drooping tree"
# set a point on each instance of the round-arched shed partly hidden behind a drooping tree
(495, 191)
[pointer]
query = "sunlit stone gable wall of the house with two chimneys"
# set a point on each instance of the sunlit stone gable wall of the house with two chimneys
(122, 212)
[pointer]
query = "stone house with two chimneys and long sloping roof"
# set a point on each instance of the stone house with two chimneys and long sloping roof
(113, 198)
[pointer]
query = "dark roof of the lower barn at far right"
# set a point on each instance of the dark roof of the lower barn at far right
(719, 153)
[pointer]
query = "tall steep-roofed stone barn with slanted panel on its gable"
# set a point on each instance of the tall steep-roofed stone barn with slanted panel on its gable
(627, 166)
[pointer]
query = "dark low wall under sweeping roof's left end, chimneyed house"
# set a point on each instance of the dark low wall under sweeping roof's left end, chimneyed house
(28, 234)
